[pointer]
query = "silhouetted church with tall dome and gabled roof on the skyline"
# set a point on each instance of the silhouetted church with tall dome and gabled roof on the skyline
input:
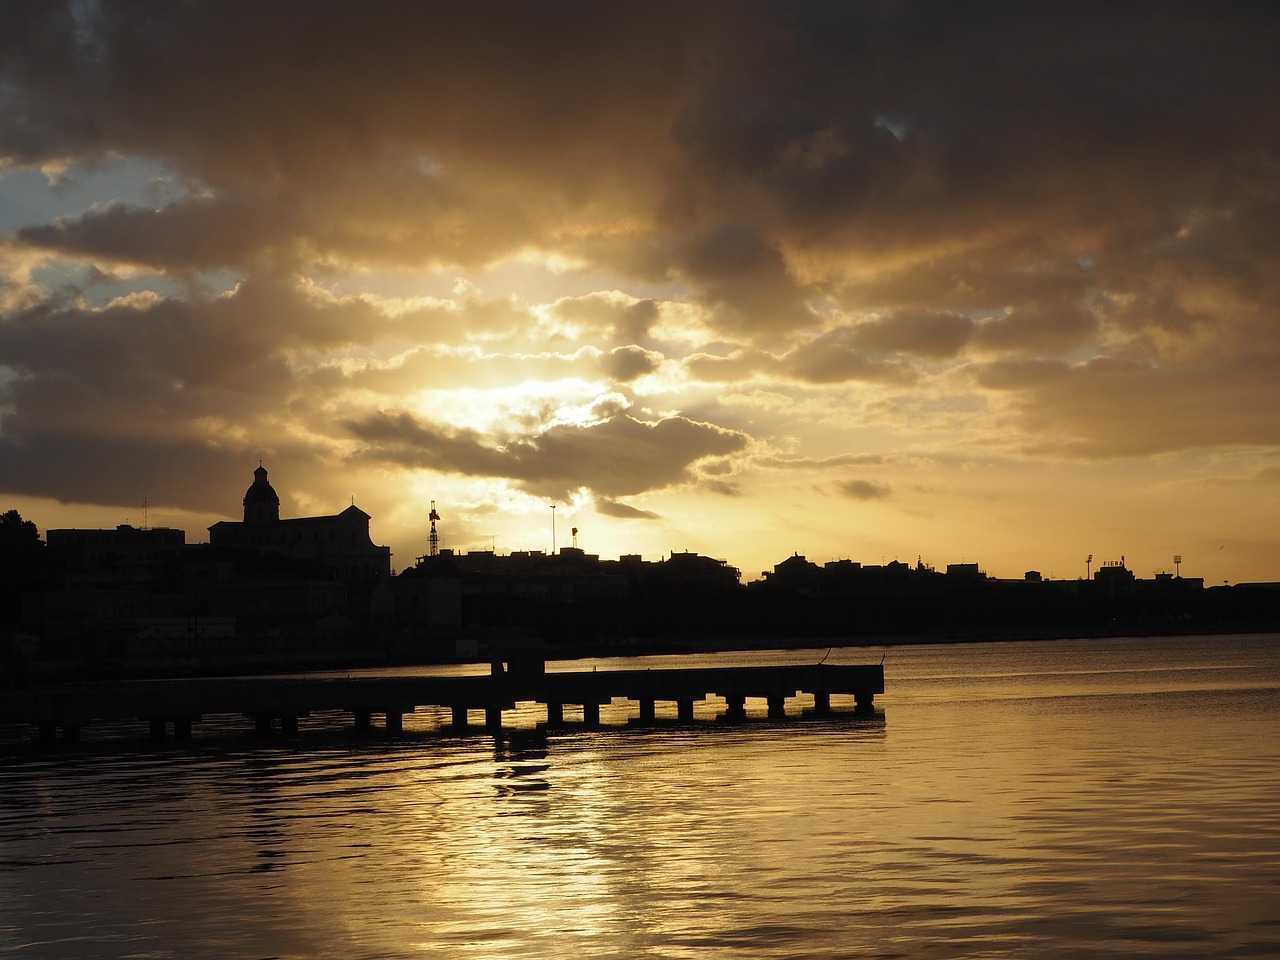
(341, 542)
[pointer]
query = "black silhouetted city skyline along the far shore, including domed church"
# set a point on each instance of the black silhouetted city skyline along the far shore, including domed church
(272, 589)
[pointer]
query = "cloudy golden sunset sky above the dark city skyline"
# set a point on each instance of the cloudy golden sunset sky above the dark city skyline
(879, 281)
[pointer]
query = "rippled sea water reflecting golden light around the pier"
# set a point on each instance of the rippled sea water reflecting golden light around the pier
(1101, 798)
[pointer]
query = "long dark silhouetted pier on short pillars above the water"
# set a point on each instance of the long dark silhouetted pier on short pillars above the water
(284, 702)
